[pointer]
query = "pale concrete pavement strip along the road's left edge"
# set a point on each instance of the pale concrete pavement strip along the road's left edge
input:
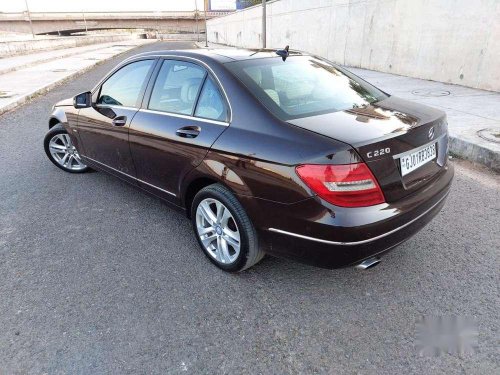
(43, 71)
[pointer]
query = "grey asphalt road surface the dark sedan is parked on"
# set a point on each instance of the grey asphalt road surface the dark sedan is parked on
(96, 277)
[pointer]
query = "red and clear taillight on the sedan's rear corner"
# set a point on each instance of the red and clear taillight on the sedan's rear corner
(350, 185)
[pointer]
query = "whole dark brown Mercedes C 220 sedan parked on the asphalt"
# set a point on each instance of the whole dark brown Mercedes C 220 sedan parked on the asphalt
(267, 152)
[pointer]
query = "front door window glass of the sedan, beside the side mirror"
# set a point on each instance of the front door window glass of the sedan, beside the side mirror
(124, 86)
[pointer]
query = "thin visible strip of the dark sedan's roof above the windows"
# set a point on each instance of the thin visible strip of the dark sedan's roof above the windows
(221, 55)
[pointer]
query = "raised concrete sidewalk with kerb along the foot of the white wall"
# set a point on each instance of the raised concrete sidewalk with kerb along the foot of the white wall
(472, 114)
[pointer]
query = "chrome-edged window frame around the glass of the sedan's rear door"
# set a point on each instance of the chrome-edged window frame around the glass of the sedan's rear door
(208, 72)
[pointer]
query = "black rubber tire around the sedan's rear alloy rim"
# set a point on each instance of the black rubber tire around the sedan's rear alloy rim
(250, 253)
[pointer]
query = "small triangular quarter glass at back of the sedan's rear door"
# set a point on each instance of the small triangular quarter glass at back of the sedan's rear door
(211, 104)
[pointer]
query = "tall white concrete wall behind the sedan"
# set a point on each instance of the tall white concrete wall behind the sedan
(456, 41)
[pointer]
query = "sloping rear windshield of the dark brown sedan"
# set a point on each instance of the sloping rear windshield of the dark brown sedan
(303, 86)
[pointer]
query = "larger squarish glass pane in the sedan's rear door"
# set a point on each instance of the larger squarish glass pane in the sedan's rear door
(177, 87)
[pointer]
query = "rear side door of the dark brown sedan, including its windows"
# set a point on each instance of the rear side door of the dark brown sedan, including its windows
(183, 113)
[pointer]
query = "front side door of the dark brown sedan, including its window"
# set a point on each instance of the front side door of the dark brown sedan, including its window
(104, 127)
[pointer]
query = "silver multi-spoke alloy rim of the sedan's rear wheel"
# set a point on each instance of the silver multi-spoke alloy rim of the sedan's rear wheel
(218, 231)
